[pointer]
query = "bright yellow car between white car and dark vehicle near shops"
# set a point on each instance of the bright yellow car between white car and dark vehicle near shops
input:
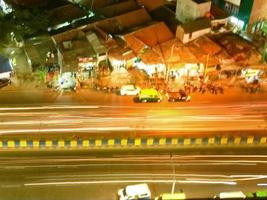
(149, 95)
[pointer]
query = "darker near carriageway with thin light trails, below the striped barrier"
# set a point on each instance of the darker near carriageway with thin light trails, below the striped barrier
(98, 177)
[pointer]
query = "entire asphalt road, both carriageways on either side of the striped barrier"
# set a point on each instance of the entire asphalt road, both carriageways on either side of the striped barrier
(79, 176)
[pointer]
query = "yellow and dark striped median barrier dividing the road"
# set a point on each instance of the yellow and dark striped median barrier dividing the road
(84, 143)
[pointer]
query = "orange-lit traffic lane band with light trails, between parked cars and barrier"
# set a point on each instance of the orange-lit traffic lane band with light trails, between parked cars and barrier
(140, 117)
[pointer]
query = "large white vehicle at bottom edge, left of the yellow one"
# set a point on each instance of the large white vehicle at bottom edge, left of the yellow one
(133, 192)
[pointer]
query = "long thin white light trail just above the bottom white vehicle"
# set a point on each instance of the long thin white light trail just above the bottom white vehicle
(129, 181)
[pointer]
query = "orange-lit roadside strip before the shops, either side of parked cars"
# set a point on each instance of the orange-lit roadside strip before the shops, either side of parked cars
(33, 94)
